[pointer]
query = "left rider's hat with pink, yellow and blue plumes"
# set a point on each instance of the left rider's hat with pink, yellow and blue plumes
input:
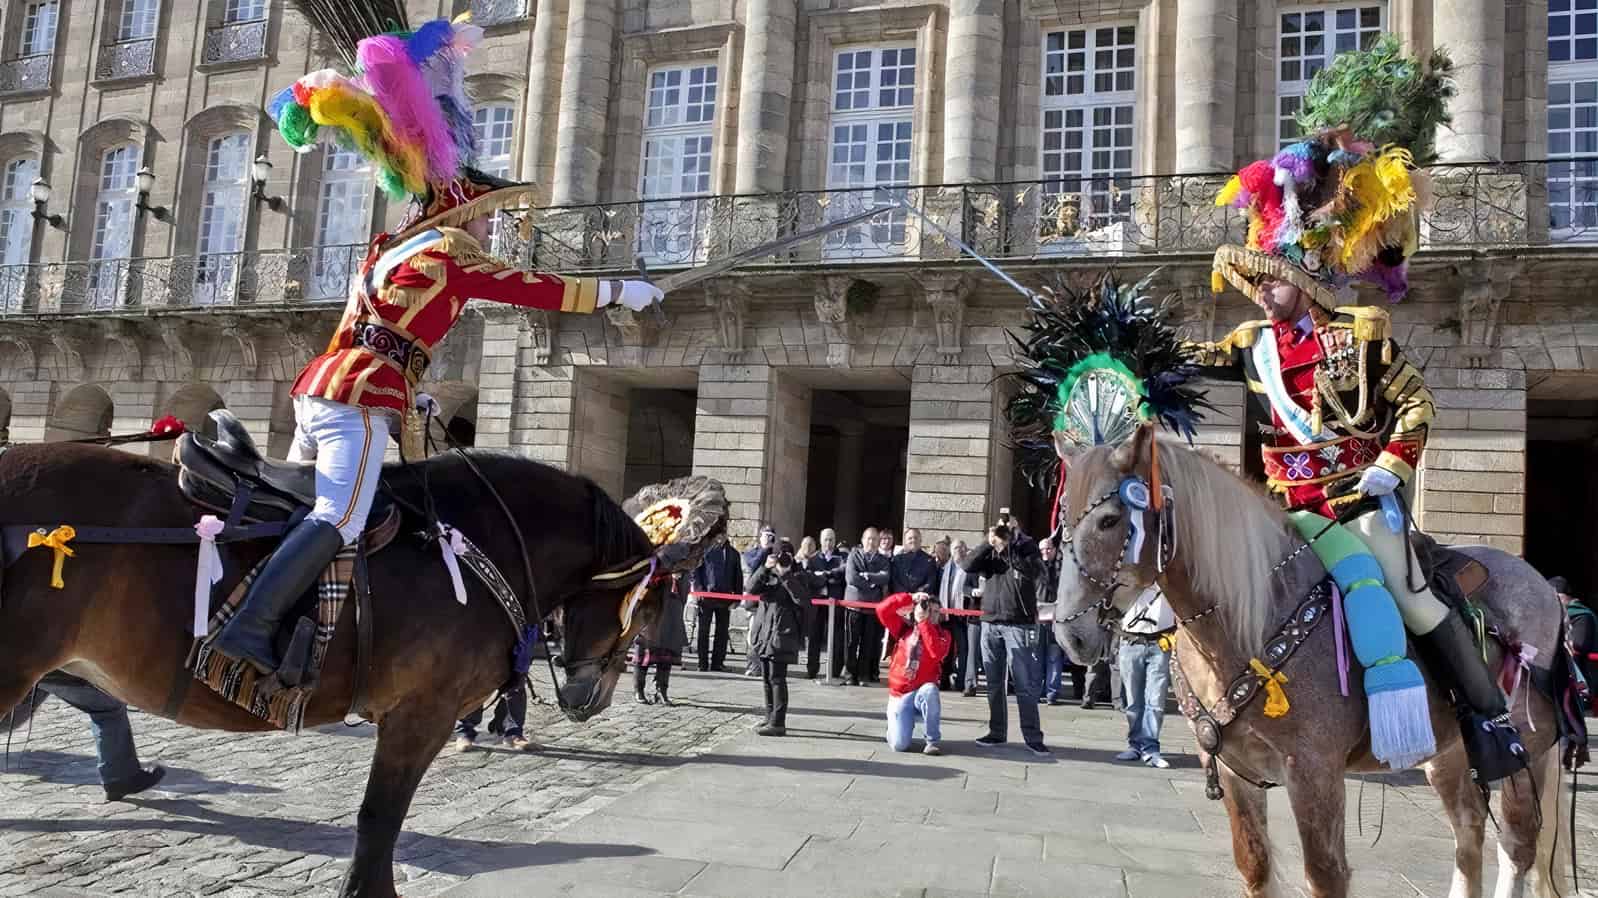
(403, 106)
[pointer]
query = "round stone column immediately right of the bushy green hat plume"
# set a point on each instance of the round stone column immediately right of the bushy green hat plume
(1473, 31)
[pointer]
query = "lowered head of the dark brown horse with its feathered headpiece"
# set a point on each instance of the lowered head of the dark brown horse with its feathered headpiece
(664, 530)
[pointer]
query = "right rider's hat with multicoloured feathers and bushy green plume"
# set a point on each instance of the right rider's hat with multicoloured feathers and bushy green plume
(1343, 205)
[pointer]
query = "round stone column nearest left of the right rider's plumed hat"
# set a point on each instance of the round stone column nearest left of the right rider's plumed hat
(1206, 85)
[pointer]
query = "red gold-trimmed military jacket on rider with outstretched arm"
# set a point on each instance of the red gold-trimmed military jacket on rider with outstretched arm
(403, 304)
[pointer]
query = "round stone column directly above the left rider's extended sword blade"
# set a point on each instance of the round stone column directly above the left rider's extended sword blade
(765, 95)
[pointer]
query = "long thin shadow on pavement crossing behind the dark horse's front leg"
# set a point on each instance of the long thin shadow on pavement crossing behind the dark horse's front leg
(435, 854)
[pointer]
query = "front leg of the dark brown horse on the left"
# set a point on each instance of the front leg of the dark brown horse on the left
(407, 744)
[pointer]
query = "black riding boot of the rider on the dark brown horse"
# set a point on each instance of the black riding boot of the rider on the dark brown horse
(293, 570)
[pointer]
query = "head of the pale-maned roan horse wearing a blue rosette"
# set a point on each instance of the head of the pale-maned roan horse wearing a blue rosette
(1110, 539)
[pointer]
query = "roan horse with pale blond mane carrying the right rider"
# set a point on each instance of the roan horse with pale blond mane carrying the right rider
(1231, 542)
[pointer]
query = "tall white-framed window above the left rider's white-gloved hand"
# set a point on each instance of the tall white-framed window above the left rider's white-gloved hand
(682, 108)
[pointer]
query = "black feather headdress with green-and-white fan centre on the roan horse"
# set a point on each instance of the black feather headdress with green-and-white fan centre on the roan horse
(1094, 367)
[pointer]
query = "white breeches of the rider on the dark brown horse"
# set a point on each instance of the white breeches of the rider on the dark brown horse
(348, 445)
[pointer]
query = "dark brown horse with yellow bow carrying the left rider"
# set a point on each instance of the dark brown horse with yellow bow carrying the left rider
(122, 621)
